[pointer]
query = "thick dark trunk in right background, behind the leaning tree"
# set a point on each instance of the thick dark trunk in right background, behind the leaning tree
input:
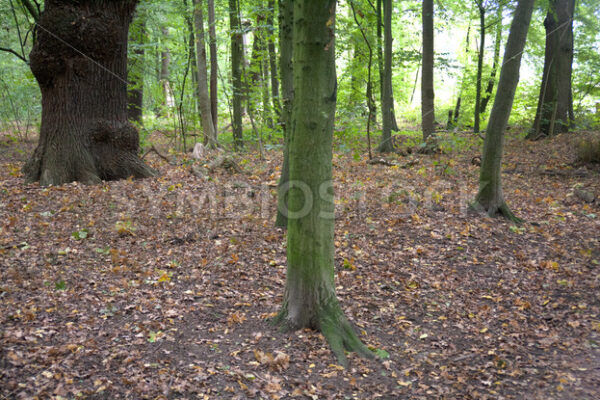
(555, 98)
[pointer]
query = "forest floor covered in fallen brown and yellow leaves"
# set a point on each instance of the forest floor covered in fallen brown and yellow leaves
(162, 288)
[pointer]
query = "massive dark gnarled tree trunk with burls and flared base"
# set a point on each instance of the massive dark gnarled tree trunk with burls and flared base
(85, 135)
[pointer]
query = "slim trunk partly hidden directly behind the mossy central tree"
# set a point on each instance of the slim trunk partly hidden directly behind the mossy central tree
(286, 22)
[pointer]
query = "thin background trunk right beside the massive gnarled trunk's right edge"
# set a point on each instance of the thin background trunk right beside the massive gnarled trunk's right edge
(135, 93)
